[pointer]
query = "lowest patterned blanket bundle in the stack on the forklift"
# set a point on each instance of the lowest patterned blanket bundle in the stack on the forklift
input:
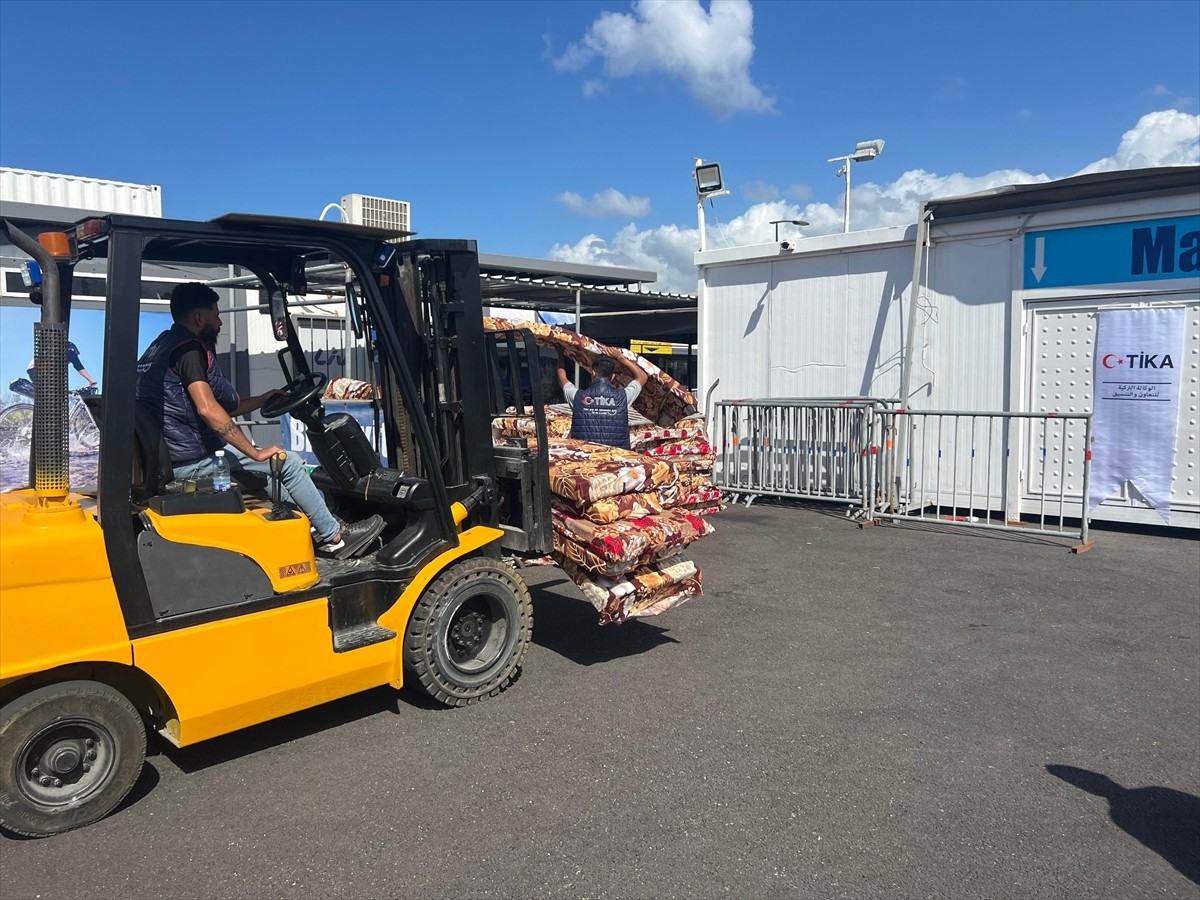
(646, 592)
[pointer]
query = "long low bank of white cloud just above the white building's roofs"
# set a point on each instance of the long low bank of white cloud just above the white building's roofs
(1163, 139)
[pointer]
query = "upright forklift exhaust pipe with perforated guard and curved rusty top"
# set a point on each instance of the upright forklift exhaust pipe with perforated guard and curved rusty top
(51, 452)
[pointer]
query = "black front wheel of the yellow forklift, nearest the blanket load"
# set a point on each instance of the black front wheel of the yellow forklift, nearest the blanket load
(469, 633)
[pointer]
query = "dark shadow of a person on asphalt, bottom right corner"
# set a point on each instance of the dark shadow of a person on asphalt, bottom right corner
(1165, 820)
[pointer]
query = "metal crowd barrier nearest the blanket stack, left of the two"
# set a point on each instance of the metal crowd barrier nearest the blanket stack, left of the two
(806, 449)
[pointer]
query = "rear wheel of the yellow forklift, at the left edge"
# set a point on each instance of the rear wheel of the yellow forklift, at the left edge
(71, 754)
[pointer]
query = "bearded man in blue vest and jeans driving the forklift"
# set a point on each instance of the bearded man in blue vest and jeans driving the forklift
(184, 389)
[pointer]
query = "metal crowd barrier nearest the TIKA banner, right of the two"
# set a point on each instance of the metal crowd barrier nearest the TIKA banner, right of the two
(1006, 471)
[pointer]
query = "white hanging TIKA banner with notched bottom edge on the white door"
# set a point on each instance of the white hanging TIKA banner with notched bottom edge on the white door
(1139, 357)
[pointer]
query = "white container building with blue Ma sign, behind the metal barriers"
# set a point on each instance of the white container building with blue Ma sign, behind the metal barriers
(1009, 286)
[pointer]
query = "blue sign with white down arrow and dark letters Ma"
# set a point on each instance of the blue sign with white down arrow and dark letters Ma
(1150, 250)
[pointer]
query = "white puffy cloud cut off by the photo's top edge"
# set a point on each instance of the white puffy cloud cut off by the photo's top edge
(710, 52)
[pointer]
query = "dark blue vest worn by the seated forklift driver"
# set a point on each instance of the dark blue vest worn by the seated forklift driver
(166, 398)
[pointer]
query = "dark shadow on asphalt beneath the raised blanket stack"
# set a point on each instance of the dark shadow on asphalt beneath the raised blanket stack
(569, 627)
